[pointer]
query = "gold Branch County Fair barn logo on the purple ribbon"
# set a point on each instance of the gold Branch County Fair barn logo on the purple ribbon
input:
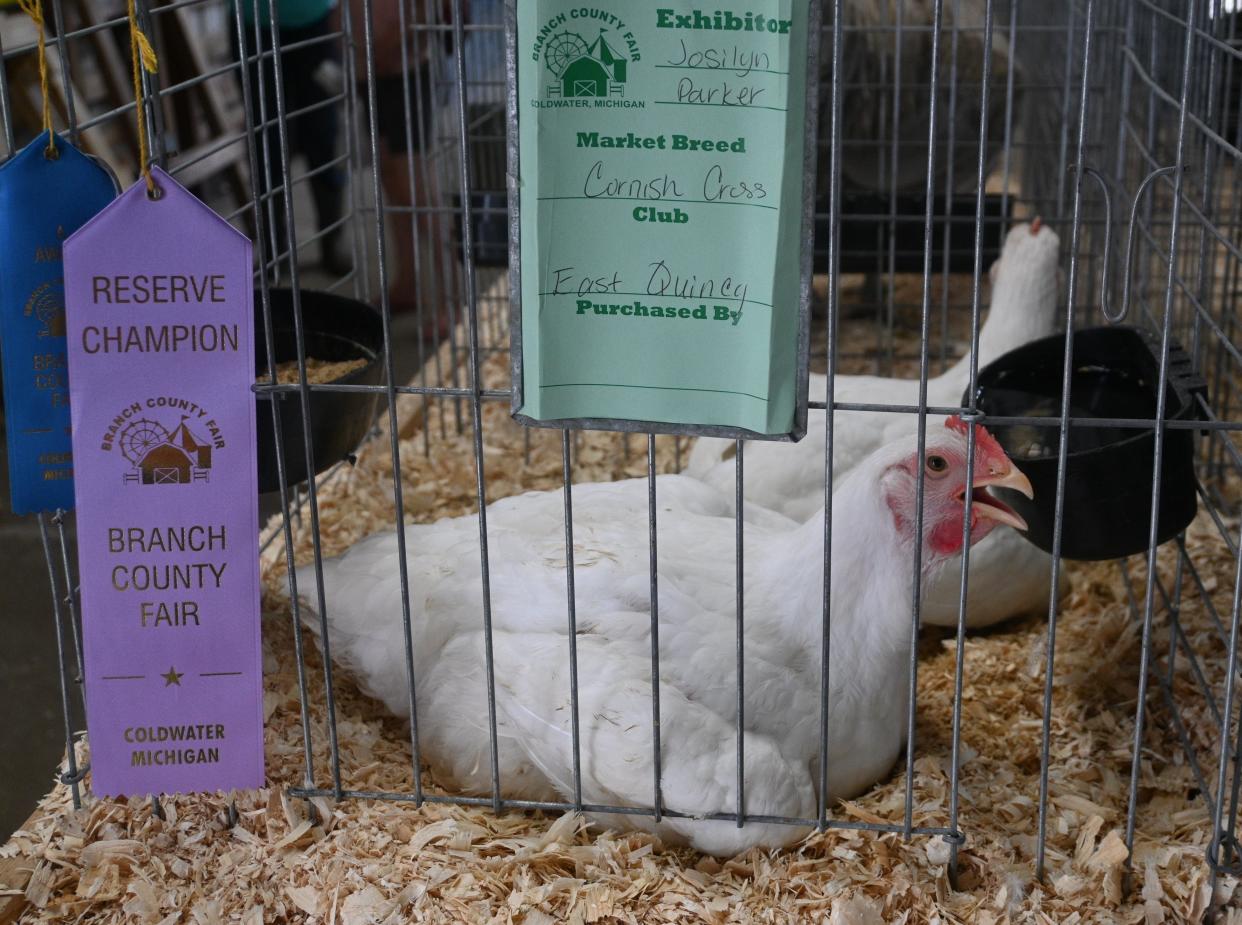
(165, 441)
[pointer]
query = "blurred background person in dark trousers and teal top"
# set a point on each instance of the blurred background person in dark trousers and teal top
(311, 70)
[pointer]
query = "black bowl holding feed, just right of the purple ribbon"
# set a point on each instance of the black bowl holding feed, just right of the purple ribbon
(335, 328)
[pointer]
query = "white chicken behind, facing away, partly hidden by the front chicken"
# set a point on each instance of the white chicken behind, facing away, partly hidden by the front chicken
(1008, 575)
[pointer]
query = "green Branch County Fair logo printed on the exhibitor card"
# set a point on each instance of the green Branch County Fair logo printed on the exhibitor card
(587, 69)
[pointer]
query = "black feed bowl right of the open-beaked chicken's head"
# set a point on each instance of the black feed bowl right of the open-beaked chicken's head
(1108, 471)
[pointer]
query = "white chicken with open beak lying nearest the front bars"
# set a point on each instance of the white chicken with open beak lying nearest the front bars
(874, 518)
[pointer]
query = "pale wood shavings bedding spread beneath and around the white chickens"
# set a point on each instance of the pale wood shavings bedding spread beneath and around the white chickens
(389, 862)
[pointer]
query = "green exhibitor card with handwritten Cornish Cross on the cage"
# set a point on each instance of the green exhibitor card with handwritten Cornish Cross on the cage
(661, 255)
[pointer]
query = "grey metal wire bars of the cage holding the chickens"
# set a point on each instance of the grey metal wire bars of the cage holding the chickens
(1133, 89)
